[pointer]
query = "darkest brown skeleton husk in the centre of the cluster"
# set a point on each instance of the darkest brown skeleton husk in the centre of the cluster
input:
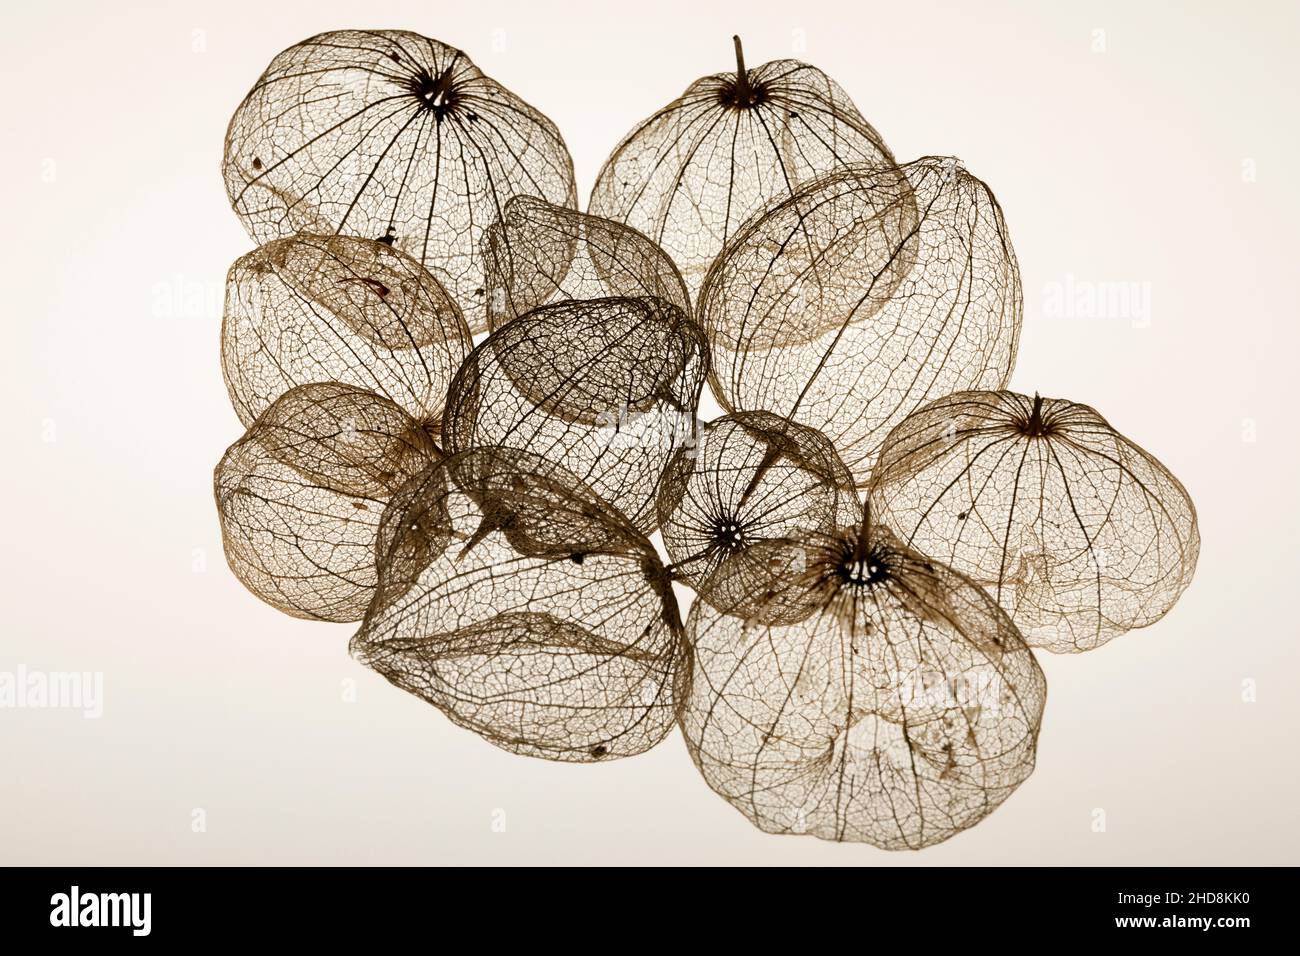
(608, 388)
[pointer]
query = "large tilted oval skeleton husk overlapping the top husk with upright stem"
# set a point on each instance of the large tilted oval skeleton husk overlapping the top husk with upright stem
(883, 343)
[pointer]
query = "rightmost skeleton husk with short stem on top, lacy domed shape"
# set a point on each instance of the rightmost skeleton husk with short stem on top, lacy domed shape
(1078, 533)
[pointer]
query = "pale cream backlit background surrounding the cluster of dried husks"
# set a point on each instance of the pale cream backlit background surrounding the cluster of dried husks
(1117, 166)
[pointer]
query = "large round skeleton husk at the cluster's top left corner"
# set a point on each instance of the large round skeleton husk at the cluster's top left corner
(395, 137)
